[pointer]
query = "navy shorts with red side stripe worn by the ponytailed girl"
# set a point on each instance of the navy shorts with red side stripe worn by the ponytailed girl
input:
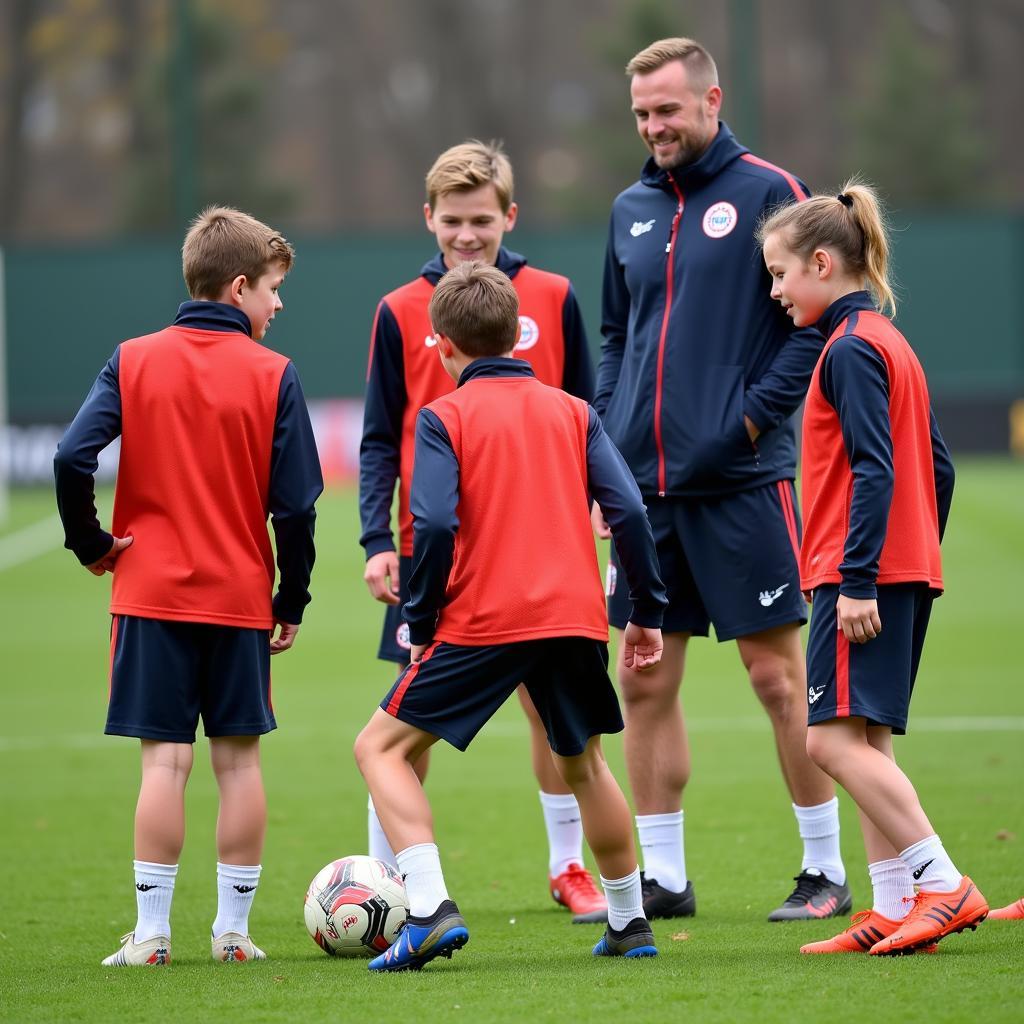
(871, 680)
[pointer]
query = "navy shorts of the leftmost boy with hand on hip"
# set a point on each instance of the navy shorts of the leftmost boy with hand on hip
(167, 675)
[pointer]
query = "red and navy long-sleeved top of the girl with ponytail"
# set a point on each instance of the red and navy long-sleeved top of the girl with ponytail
(878, 479)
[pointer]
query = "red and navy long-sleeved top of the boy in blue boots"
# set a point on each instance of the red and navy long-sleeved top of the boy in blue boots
(504, 550)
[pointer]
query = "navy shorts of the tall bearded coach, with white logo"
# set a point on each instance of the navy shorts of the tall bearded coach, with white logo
(729, 561)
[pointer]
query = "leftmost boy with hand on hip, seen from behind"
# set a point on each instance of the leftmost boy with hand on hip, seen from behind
(216, 438)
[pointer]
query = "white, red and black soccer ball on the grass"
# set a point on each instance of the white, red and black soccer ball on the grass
(356, 907)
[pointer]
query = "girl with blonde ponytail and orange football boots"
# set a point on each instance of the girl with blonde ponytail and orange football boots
(877, 488)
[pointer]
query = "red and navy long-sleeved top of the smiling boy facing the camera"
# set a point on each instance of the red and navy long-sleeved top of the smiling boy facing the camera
(405, 374)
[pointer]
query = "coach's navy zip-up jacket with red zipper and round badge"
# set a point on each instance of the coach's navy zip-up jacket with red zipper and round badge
(693, 340)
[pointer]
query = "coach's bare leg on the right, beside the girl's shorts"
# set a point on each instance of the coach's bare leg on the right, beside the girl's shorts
(775, 662)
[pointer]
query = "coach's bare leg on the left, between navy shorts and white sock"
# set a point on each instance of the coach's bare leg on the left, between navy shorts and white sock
(658, 753)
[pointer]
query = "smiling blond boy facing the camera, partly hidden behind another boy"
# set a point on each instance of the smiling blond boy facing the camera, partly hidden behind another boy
(470, 207)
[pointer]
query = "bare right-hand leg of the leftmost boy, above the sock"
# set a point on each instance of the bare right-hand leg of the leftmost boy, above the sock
(242, 820)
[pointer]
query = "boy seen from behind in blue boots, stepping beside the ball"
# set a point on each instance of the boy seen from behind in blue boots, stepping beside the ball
(491, 610)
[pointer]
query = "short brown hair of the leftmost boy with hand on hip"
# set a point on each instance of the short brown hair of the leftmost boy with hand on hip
(223, 244)
